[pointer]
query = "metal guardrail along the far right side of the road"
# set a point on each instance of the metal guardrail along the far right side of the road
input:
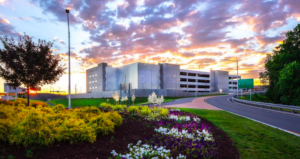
(280, 107)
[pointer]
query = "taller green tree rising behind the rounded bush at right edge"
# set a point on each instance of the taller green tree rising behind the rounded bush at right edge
(285, 53)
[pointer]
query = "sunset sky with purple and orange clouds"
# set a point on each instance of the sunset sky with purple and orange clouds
(197, 34)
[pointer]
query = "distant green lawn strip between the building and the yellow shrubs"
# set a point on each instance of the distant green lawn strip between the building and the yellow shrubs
(79, 102)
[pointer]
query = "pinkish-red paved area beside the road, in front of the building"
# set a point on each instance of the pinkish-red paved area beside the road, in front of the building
(197, 103)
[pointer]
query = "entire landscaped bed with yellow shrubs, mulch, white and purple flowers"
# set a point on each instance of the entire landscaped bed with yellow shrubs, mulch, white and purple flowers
(108, 131)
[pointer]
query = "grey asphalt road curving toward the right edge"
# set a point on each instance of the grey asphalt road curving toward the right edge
(290, 123)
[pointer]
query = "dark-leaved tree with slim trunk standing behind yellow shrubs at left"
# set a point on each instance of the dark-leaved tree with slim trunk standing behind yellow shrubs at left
(26, 63)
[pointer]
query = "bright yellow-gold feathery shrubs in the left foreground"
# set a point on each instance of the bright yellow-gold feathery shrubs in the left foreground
(39, 124)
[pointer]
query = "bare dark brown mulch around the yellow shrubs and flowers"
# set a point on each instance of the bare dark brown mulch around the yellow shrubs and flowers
(132, 130)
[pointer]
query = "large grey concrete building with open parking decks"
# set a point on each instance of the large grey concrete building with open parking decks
(165, 79)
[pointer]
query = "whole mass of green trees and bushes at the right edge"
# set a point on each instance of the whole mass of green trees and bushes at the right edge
(284, 54)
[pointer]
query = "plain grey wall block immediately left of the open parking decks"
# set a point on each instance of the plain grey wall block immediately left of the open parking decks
(169, 76)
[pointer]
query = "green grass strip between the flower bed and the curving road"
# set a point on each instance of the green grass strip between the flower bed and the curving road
(252, 139)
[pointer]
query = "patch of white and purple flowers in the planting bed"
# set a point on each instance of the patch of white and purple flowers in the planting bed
(180, 134)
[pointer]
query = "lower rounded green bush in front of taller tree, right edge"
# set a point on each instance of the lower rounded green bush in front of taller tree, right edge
(289, 82)
